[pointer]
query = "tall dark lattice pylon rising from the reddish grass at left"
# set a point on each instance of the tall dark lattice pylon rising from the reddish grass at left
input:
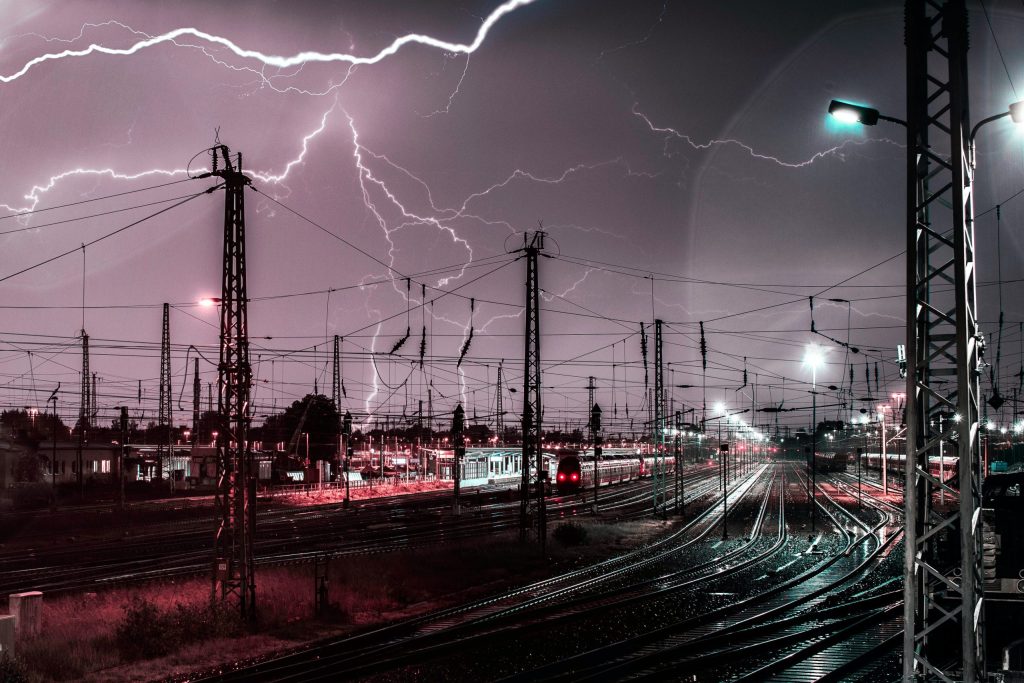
(236, 496)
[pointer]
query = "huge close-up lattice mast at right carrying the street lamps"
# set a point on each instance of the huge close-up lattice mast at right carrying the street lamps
(944, 353)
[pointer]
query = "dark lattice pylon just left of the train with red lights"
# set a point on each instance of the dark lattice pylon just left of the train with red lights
(532, 502)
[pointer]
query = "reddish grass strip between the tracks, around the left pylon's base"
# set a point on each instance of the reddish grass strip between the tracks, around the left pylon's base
(165, 629)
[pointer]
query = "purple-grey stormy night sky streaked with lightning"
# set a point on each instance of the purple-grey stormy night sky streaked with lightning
(678, 155)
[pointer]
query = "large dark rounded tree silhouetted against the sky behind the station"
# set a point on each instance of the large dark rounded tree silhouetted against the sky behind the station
(322, 423)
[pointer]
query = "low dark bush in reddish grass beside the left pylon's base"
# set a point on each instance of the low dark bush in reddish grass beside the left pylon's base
(147, 632)
